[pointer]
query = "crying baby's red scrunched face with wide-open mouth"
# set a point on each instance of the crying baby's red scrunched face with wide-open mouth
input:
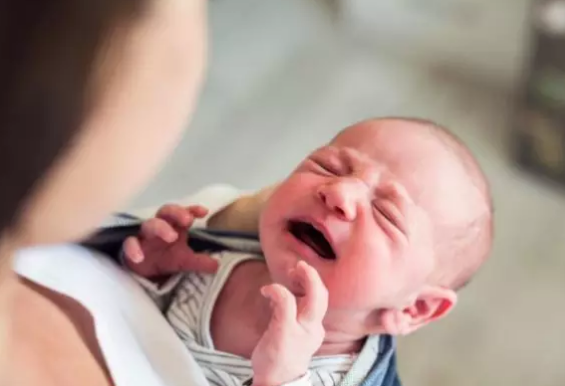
(362, 211)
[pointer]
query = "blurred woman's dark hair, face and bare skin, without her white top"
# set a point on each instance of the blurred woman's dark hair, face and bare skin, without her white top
(93, 96)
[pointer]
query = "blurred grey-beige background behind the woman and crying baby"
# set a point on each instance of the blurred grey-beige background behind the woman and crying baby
(286, 75)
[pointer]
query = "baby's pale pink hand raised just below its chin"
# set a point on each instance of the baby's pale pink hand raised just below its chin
(295, 332)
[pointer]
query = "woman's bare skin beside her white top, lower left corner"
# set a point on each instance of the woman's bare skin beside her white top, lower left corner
(49, 322)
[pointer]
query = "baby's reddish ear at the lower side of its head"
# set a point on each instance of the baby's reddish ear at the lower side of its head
(432, 304)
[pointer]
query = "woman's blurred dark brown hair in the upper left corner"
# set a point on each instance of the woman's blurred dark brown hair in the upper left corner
(48, 51)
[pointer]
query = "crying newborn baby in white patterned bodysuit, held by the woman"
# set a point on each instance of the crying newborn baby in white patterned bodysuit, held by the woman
(372, 235)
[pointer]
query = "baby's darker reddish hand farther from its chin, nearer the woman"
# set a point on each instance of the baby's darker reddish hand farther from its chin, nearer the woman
(161, 247)
